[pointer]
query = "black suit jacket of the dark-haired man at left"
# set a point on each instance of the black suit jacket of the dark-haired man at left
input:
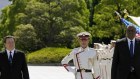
(17, 70)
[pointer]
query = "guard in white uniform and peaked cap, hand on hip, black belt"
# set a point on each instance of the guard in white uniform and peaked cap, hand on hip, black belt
(84, 59)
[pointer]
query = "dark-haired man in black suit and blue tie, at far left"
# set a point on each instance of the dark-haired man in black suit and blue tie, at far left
(12, 62)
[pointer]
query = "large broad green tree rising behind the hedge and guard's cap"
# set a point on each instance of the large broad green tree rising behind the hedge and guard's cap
(53, 19)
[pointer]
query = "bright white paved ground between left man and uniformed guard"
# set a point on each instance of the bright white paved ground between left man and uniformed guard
(49, 72)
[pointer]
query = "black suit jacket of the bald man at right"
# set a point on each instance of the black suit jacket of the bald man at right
(122, 60)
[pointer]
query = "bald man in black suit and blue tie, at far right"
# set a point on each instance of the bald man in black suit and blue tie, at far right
(126, 58)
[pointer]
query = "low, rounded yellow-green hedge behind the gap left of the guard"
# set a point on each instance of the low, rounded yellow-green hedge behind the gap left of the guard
(47, 55)
